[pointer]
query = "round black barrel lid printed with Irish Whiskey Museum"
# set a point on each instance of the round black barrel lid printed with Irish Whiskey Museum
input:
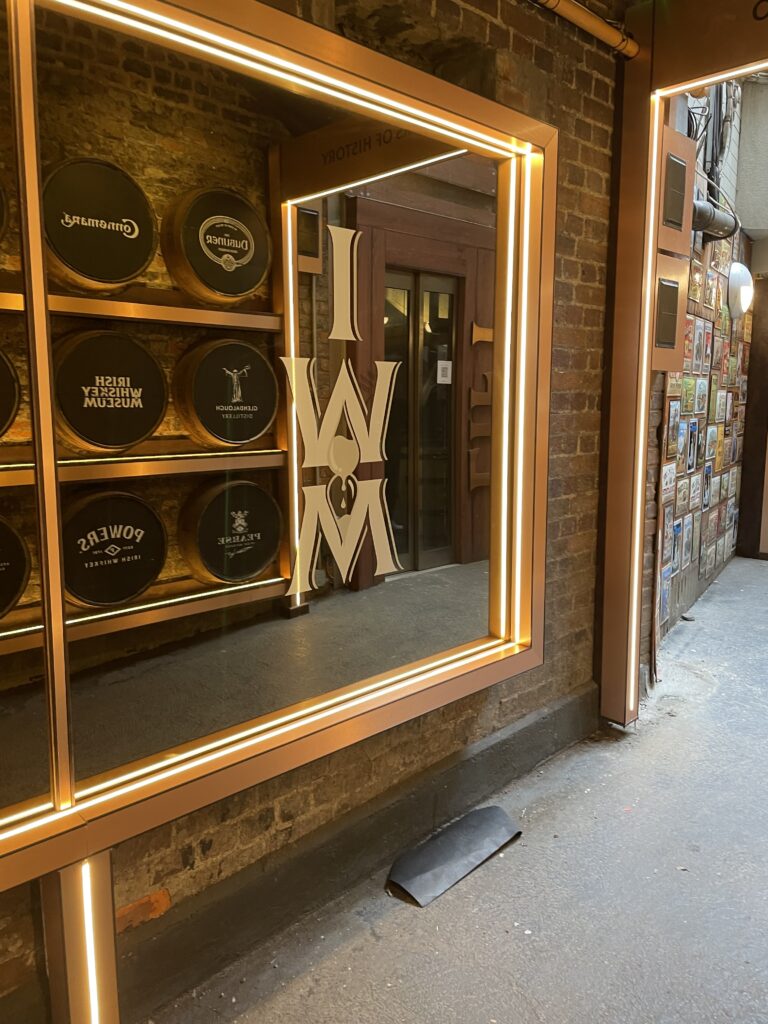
(110, 390)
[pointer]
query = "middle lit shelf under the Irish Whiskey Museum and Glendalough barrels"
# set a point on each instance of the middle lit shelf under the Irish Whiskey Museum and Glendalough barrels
(174, 460)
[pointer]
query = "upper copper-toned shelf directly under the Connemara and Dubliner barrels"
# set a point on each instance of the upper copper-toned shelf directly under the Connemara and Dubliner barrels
(154, 306)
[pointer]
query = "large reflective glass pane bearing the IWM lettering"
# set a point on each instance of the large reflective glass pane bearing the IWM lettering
(189, 611)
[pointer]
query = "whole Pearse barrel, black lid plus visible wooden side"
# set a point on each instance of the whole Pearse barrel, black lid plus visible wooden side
(231, 533)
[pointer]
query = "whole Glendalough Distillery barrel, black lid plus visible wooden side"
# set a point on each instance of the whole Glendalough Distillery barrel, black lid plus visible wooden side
(226, 393)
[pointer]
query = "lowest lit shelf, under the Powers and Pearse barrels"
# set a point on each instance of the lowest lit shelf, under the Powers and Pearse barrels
(23, 630)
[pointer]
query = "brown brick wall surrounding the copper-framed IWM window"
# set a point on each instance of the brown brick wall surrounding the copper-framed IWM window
(535, 62)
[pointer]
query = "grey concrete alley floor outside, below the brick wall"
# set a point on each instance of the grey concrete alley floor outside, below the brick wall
(638, 893)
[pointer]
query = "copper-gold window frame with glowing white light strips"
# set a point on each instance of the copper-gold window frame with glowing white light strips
(80, 823)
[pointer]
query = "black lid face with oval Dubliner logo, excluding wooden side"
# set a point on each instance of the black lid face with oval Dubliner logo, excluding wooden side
(226, 242)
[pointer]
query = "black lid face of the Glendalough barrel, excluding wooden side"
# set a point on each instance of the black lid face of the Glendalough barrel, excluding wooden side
(235, 393)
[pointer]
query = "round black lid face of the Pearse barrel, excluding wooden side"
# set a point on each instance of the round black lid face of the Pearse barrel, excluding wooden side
(239, 532)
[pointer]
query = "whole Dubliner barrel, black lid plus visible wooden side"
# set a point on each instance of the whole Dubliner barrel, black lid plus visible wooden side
(217, 246)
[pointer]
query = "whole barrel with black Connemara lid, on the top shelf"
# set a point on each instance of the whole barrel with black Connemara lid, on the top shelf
(100, 229)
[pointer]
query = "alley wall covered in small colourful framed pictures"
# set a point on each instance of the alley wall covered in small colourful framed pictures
(699, 437)
